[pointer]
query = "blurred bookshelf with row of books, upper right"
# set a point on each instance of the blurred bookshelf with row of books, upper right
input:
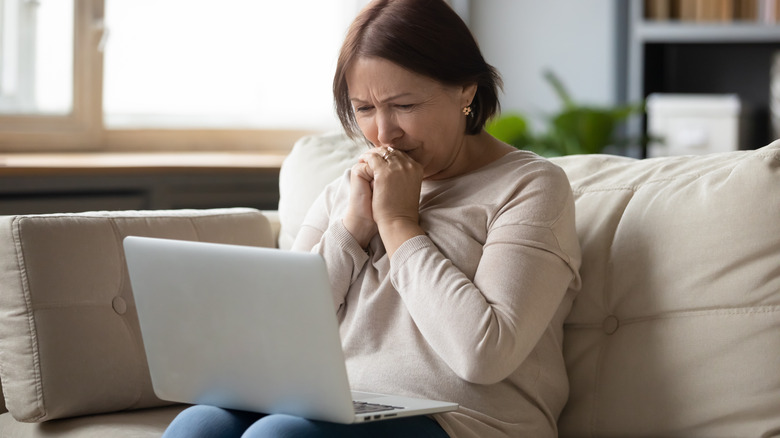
(705, 46)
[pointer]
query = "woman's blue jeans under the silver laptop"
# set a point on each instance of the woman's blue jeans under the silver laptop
(209, 421)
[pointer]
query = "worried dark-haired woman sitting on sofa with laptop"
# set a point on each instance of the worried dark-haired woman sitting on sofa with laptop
(453, 257)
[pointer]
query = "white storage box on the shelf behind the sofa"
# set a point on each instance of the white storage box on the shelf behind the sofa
(693, 124)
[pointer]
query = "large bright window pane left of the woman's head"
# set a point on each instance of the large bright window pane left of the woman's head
(232, 63)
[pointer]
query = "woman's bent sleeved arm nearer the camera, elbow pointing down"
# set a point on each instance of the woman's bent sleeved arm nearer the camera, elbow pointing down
(485, 328)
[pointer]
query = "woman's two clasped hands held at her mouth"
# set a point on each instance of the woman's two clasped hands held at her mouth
(384, 198)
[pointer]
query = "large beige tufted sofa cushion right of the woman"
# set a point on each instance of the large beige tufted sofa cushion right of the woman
(676, 331)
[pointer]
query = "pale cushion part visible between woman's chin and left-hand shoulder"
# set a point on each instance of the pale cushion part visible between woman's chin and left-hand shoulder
(313, 163)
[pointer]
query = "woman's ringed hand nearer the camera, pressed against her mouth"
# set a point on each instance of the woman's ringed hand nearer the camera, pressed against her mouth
(395, 201)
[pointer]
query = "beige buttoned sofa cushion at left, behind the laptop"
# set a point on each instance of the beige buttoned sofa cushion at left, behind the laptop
(70, 343)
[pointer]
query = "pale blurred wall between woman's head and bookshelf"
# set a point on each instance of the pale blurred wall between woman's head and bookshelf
(574, 38)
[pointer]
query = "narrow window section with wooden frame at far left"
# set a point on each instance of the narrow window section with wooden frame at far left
(50, 104)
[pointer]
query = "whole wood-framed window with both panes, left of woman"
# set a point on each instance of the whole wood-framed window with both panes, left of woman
(167, 74)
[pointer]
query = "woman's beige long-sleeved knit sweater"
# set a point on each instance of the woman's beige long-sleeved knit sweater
(472, 312)
